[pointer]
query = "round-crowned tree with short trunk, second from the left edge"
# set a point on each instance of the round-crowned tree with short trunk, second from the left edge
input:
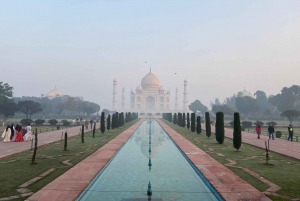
(29, 107)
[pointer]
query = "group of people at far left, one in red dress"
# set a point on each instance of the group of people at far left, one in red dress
(15, 134)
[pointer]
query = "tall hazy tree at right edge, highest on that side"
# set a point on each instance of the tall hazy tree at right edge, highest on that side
(288, 99)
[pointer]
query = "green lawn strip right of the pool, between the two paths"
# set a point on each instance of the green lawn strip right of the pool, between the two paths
(284, 172)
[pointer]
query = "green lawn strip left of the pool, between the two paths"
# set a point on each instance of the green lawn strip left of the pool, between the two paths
(16, 173)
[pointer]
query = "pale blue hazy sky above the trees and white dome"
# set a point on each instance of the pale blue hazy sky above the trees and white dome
(220, 47)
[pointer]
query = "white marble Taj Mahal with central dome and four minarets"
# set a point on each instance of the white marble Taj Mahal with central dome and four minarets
(150, 96)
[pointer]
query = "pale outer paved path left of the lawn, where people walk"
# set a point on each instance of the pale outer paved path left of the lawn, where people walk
(11, 148)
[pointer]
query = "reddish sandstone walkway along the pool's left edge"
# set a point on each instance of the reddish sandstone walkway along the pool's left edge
(71, 184)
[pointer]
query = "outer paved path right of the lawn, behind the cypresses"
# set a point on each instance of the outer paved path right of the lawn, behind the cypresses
(281, 146)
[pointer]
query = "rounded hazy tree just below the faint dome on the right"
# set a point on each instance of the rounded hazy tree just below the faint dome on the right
(246, 105)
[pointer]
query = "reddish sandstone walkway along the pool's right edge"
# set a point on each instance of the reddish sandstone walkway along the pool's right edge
(230, 186)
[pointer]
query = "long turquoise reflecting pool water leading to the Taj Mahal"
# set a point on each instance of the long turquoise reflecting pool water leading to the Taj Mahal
(127, 175)
